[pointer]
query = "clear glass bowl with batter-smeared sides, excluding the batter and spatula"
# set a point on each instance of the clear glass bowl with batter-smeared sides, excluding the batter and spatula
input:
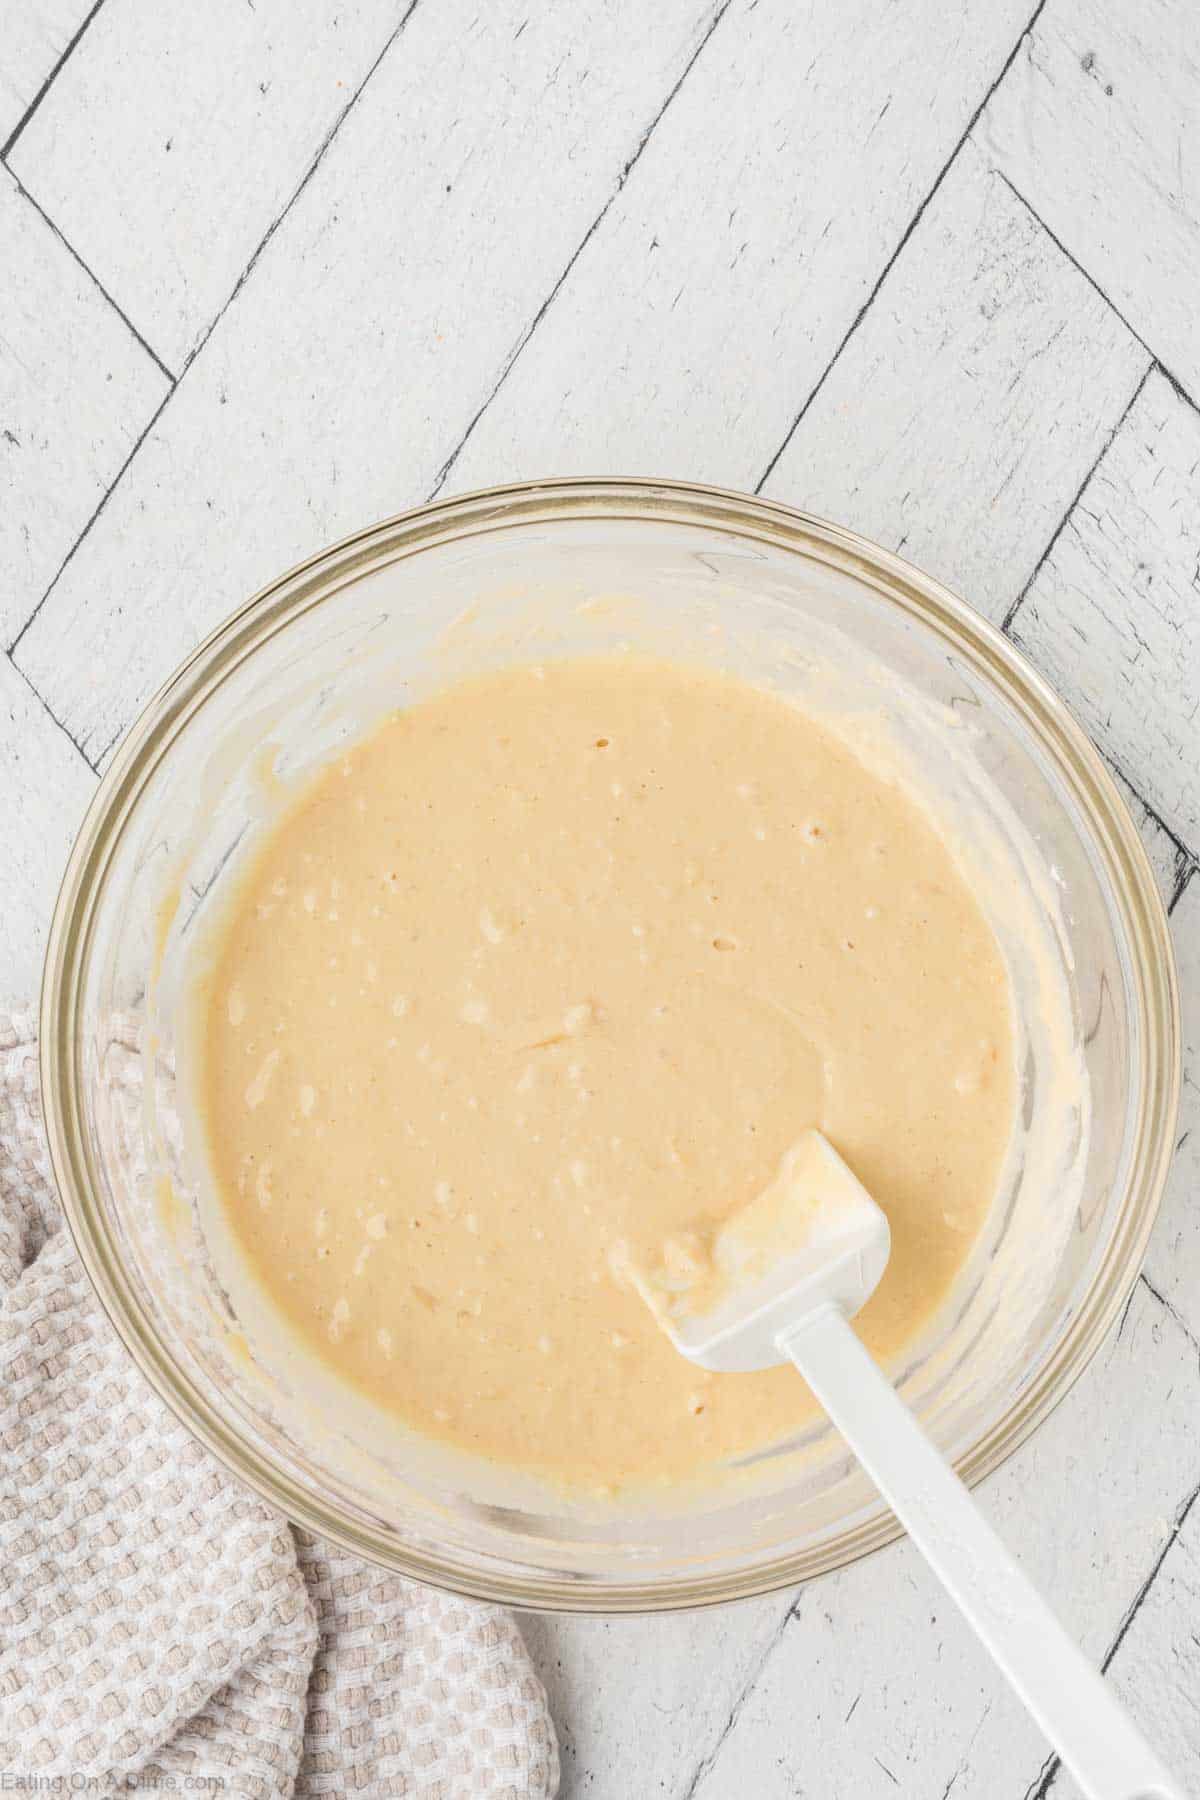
(535, 571)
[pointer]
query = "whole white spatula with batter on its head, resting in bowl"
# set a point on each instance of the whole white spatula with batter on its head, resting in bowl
(782, 1281)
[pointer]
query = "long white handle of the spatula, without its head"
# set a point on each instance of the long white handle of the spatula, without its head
(1066, 1695)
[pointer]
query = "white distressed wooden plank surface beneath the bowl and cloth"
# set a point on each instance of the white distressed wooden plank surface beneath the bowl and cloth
(269, 271)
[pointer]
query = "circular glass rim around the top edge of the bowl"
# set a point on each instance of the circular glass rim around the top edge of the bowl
(1043, 714)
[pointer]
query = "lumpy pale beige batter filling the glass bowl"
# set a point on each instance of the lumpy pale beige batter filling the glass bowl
(555, 966)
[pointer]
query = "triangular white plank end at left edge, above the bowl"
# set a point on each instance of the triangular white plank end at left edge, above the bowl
(76, 390)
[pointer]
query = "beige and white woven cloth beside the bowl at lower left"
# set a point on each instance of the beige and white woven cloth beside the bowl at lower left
(163, 1630)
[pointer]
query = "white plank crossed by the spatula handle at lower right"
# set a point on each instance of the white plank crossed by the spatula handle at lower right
(879, 1687)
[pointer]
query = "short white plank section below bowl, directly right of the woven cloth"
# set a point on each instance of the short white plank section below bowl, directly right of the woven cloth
(641, 1702)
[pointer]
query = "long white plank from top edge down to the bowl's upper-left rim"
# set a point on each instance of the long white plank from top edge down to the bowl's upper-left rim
(370, 332)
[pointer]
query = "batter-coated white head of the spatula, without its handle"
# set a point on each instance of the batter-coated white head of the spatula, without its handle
(812, 1236)
